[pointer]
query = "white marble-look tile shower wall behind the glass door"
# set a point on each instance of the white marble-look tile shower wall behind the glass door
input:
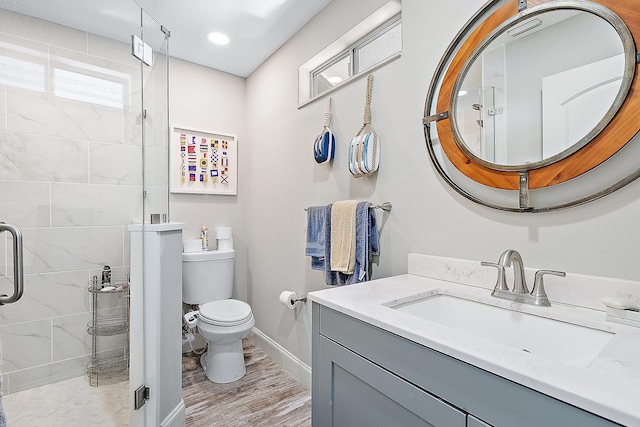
(71, 178)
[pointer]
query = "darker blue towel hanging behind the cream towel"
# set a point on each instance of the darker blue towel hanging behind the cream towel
(367, 245)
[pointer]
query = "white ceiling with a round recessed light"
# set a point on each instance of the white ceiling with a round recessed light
(257, 28)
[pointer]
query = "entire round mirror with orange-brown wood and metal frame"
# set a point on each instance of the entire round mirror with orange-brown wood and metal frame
(533, 104)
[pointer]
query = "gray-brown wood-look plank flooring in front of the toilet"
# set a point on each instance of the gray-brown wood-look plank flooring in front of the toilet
(265, 396)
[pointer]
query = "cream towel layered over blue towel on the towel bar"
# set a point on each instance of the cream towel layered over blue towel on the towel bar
(343, 236)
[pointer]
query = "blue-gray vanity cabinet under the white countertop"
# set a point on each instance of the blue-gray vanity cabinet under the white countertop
(364, 375)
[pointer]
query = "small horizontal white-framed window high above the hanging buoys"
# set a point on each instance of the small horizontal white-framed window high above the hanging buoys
(372, 43)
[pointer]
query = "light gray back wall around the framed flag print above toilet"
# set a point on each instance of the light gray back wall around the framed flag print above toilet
(210, 100)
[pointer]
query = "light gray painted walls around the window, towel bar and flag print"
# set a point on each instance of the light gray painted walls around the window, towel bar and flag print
(278, 177)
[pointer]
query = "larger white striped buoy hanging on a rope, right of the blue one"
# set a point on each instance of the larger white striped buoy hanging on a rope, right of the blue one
(364, 153)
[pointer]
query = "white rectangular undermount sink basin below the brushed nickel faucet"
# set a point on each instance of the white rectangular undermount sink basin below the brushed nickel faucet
(564, 342)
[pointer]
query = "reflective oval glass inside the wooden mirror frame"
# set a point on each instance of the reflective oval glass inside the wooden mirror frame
(540, 90)
